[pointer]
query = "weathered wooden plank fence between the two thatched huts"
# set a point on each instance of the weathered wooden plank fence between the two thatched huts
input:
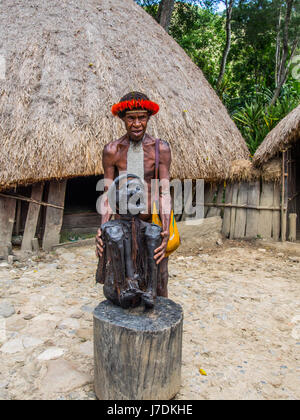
(249, 209)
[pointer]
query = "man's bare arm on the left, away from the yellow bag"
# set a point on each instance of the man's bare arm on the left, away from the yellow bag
(109, 172)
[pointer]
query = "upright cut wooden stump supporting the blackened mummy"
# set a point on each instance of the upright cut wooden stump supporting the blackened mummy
(138, 353)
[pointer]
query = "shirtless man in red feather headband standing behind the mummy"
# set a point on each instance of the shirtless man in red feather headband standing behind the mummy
(135, 109)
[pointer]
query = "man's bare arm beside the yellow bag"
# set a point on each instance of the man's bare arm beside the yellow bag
(164, 198)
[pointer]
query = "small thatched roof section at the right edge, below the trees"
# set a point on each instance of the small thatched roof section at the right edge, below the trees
(286, 132)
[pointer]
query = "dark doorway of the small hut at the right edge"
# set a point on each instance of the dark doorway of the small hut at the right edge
(294, 184)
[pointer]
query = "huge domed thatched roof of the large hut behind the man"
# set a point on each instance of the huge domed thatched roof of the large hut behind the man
(68, 61)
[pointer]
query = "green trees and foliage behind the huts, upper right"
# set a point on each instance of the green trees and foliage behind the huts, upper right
(249, 50)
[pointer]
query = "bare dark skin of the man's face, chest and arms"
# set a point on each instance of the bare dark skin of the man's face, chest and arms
(115, 160)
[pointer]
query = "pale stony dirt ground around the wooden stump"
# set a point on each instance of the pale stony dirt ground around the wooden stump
(241, 303)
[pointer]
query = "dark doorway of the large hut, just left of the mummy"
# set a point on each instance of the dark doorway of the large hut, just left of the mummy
(80, 215)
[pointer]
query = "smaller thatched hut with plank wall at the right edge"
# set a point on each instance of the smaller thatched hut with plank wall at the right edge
(263, 196)
